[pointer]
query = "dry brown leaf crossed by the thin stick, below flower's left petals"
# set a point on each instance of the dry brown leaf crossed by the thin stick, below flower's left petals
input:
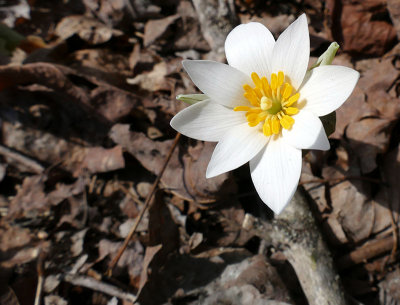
(186, 180)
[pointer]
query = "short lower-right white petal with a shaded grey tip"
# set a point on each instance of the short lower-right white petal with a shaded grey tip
(307, 132)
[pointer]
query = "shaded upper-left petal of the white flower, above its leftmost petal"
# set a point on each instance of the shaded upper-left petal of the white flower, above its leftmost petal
(222, 83)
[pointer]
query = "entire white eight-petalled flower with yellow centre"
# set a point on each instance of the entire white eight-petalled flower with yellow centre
(263, 108)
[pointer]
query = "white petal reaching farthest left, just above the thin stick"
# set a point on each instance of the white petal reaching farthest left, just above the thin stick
(206, 121)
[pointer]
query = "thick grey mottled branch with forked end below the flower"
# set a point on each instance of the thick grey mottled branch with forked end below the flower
(295, 232)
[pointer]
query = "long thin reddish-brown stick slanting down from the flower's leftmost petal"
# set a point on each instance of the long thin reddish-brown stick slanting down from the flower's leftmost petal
(146, 205)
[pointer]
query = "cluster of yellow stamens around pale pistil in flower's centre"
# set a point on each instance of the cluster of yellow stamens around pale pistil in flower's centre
(272, 103)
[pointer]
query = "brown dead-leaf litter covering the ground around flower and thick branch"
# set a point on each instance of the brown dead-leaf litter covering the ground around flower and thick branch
(87, 91)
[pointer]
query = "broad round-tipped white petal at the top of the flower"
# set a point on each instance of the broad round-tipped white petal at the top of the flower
(248, 48)
